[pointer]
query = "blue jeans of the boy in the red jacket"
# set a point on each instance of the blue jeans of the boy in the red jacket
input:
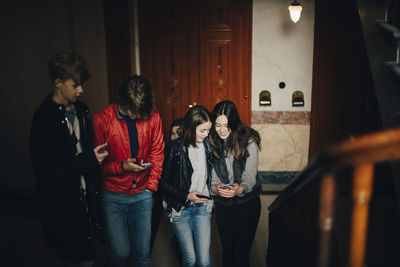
(128, 225)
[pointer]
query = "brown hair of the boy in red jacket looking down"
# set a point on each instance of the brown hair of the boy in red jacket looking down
(136, 94)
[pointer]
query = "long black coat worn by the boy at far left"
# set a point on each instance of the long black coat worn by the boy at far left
(67, 226)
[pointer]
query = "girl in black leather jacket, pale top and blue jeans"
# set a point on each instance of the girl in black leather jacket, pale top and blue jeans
(185, 185)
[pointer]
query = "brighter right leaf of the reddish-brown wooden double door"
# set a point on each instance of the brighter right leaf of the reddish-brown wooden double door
(225, 54)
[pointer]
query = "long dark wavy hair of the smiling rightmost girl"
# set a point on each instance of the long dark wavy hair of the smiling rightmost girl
(239, 137)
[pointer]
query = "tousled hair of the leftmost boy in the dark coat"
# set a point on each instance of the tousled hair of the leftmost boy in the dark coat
(66, 64)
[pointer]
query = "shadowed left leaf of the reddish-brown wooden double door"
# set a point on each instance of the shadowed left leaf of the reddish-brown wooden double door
(169, 56)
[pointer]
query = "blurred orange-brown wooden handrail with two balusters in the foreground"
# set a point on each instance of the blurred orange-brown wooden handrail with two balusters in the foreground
(361, 153)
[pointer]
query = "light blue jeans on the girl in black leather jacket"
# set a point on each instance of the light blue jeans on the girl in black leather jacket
(193, 230)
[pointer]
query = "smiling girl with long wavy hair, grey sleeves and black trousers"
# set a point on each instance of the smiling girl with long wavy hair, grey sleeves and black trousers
(235, 183)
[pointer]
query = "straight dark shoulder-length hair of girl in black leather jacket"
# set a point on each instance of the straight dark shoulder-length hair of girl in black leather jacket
(193, 118)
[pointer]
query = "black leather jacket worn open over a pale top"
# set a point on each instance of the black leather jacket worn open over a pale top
(176, 177)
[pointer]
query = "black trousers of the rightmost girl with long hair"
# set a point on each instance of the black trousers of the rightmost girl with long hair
(237, 225)
